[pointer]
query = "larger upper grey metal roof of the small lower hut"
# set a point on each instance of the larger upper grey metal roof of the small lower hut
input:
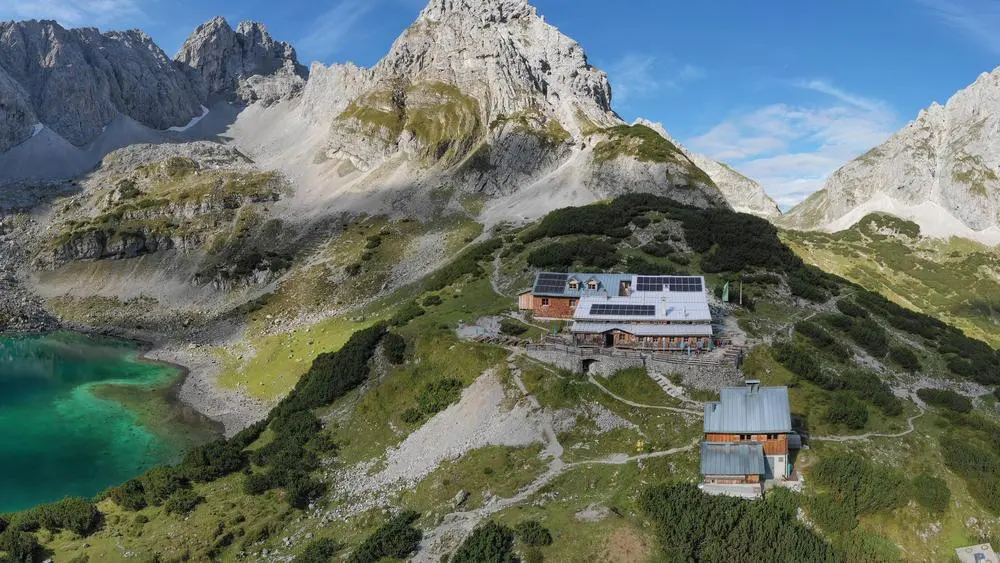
(741, 410)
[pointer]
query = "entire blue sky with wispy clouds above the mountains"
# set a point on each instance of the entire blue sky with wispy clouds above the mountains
(785, 91)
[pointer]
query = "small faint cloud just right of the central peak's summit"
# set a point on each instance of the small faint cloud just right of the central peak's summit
(636, 76)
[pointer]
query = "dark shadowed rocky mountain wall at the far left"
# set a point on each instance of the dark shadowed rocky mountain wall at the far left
(76, 81)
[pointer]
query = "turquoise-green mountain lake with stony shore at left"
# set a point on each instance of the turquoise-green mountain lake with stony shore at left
(80, 413)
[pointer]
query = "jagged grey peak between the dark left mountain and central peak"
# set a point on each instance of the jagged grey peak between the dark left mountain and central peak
(246, 63)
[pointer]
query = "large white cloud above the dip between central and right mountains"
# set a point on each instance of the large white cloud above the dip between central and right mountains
(792, 149)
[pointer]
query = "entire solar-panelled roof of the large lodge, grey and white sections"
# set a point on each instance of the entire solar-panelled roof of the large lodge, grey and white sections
(629, 297)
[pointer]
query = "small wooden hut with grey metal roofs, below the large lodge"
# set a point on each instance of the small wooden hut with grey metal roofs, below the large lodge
(748, 436)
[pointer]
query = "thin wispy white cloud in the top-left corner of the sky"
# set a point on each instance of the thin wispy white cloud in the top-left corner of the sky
(71, 13)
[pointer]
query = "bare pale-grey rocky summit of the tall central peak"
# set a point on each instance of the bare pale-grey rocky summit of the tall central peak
(504, 55)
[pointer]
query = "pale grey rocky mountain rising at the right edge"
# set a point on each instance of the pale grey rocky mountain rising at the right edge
(942, 171)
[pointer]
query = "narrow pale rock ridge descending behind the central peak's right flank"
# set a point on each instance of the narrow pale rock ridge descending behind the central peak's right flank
(742, 193)
